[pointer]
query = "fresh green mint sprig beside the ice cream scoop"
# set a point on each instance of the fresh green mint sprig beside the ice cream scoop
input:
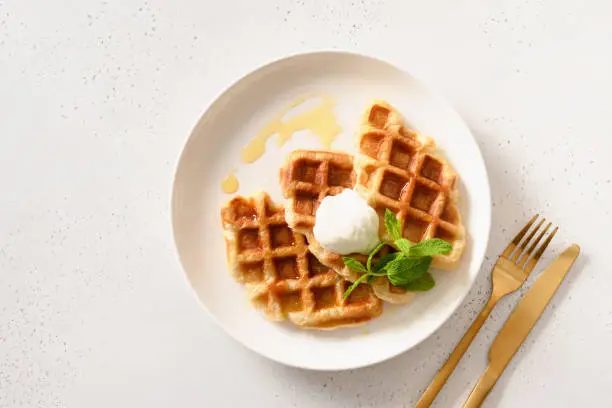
(408, 268)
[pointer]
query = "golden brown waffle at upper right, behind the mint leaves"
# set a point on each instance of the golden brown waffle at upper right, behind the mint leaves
(399, 169)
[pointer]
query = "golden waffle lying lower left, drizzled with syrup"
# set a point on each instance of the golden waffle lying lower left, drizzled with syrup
(282, 277)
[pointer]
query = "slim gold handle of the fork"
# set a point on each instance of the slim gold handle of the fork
(453, 360)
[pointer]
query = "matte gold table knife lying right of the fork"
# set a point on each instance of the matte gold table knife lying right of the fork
(520, 323)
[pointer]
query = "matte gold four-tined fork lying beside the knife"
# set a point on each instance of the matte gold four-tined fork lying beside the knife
(511, 270)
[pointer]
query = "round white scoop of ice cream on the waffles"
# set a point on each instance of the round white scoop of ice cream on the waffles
(346, 224)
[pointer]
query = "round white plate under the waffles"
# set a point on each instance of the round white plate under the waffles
(213, 150)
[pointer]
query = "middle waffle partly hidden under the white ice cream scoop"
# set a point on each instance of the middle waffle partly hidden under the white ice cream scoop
(309, 176)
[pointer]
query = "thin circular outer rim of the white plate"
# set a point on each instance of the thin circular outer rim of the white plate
(228, 89)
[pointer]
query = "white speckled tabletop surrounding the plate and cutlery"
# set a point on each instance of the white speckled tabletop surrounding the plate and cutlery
(97, 99)
